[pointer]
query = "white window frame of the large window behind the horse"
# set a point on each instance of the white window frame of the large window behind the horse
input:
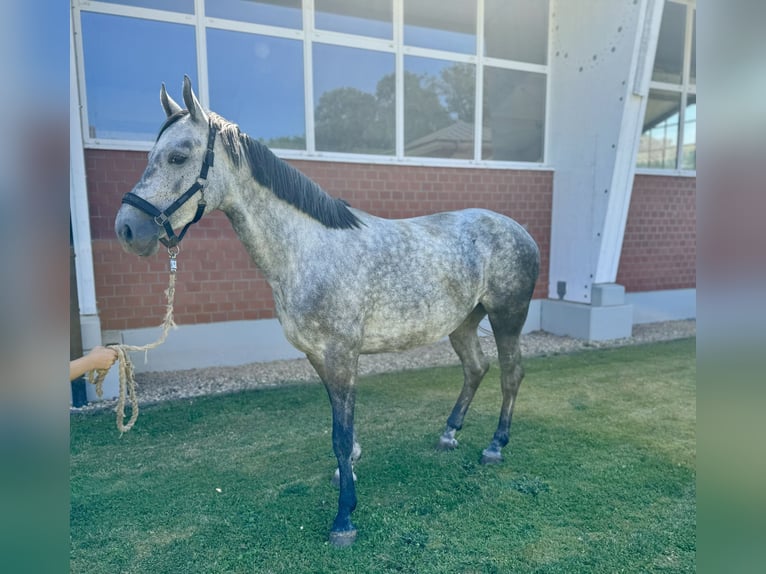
(308, 35)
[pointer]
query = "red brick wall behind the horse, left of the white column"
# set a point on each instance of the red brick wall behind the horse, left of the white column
(219, 283)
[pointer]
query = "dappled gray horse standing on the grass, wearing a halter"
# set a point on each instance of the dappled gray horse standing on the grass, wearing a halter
(345, 282)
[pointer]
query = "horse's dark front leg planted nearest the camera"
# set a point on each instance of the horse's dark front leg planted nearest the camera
(339, 372)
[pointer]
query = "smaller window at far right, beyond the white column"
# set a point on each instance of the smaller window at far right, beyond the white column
(669, 134)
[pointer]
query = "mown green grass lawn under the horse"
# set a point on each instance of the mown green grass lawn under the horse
(599, 476)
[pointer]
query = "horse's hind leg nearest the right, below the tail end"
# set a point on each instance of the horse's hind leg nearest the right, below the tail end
(507, 330)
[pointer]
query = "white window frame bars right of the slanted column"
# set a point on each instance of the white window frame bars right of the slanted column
(685, 88)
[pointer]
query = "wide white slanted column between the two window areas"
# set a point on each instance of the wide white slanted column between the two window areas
(601, 57)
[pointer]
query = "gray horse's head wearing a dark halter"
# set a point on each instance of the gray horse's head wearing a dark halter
(173, 192)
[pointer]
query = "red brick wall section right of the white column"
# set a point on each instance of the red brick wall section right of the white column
(659, 250)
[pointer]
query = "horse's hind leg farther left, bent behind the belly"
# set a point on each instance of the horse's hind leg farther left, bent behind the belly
(465, 341)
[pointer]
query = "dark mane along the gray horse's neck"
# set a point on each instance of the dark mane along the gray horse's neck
(286, 182)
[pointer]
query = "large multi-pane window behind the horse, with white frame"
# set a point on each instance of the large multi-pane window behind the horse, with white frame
(410, 80)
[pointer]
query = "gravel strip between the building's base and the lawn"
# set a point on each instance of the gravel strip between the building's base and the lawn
(168, 385)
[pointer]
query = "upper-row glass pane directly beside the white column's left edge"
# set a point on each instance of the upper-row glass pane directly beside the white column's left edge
(516, 30)
